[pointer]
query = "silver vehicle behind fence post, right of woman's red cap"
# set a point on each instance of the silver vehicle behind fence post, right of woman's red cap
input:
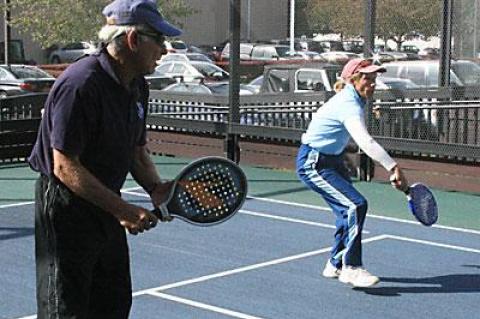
(425, 73)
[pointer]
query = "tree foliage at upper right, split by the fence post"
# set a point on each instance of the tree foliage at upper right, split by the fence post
(395, 18)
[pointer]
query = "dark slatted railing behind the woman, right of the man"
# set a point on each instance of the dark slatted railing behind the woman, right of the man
(442, 123)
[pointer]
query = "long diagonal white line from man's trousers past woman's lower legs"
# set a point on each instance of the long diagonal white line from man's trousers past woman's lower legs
(247, 268)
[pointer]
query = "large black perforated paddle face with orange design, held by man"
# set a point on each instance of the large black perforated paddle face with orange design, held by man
(208, 191)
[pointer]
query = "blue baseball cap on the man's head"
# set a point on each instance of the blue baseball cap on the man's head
(133, 12)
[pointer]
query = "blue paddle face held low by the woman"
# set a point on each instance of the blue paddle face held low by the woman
(423, 205)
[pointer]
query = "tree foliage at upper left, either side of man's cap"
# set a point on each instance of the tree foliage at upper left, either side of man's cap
(51, 22)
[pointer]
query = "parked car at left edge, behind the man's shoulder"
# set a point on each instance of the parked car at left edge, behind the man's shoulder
(17, 79)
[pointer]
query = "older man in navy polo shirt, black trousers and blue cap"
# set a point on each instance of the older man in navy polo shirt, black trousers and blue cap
(91, 136)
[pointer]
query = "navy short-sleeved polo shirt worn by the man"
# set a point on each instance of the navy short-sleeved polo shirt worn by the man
(90, 115)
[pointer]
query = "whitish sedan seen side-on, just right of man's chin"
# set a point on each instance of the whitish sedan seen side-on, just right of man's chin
(190, 71)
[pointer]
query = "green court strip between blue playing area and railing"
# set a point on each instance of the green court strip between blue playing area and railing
(455, 209)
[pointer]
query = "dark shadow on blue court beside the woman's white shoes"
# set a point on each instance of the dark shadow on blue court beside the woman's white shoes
(456, 283)
